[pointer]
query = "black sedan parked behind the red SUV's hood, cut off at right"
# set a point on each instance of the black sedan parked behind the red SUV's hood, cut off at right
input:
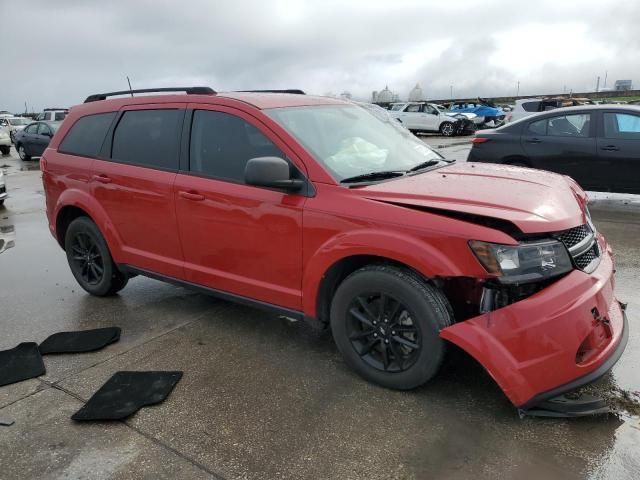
(597, 145)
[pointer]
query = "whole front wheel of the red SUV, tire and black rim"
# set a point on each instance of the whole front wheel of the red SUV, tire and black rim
(386, 323)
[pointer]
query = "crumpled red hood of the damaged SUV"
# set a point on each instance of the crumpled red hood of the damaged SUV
(533, 200)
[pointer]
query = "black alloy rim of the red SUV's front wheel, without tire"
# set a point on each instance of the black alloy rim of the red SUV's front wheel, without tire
(383, 333)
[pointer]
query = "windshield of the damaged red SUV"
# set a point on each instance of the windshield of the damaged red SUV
(350, 140)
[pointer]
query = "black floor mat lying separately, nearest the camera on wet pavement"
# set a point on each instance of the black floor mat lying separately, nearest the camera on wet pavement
(127, 392)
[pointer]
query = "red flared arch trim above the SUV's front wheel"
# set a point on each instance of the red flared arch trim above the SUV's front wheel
(403, 248)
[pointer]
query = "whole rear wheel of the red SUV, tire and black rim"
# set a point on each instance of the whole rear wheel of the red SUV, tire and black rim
(90, 260)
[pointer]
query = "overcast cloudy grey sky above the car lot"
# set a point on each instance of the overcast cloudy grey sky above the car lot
(54, 53)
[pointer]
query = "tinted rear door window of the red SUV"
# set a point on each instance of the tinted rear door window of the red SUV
(149, 138)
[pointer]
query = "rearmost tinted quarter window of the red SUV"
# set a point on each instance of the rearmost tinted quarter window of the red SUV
(87, 134)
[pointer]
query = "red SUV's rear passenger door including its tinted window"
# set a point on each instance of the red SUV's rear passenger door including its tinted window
(133, 182)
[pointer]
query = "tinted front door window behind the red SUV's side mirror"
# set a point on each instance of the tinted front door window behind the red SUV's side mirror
(221, 145)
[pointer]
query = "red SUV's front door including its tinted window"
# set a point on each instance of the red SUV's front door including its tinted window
(237, 238)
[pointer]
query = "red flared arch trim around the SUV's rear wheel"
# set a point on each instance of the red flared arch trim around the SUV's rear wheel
(84, 201)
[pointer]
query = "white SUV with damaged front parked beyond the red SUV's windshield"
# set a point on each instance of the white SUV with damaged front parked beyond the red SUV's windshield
(425, 117)
